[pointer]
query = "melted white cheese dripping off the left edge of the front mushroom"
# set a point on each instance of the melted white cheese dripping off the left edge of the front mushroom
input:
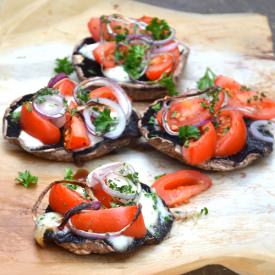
(50, 220)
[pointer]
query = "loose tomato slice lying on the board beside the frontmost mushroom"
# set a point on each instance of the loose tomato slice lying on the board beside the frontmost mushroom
(177, 188)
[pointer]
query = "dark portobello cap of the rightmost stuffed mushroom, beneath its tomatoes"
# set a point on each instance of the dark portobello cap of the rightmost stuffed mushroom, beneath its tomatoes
(171, 146)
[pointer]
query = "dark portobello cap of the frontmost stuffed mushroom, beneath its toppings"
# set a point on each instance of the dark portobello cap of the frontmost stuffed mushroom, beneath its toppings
(83, 246)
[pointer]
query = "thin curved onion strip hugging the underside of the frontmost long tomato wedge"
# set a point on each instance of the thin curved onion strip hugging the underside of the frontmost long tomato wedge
(100, 236)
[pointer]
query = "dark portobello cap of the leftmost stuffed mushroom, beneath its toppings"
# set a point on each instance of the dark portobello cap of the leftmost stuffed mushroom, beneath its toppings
(11, 131)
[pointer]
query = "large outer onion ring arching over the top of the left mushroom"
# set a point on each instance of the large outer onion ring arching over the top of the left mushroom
(121, 96)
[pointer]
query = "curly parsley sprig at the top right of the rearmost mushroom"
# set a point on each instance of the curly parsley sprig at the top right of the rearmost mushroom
(159, 29)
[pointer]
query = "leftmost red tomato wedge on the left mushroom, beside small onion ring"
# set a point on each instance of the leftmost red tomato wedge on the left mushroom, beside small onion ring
(37, 126)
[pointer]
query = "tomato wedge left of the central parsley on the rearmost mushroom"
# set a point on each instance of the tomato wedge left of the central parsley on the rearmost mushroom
(105, 54)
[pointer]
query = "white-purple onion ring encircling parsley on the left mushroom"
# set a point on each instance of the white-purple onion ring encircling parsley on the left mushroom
(121, 119)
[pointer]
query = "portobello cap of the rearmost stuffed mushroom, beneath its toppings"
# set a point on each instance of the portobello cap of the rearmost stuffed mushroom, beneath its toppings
(86, 68)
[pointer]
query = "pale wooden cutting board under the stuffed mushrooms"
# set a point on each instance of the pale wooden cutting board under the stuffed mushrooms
(239, 229)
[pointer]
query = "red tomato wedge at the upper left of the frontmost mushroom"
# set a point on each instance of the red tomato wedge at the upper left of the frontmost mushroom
(62, 199)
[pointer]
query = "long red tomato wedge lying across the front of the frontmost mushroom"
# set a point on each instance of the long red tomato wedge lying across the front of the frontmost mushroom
(111, 220)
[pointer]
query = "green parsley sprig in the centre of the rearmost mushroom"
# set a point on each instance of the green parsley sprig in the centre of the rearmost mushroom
(133, 61)
